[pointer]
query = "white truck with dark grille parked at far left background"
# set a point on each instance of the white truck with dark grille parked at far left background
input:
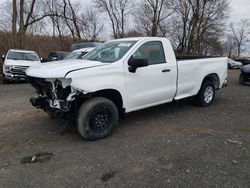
(16, 62)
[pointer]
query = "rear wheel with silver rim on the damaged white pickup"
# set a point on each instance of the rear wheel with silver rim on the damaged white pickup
(206, 95)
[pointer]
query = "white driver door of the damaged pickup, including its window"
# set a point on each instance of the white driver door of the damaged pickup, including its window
(153, 84)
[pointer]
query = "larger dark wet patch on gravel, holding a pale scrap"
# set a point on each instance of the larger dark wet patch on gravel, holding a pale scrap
(38, 158)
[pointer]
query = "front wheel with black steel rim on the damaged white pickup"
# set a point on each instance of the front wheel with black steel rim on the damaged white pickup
(96, 118)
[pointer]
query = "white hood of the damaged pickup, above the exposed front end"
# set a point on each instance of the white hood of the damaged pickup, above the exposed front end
(59, 69)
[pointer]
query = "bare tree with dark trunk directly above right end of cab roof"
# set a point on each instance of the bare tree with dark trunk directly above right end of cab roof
(151, 14)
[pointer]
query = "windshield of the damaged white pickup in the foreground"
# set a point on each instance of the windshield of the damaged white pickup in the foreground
(110, 52)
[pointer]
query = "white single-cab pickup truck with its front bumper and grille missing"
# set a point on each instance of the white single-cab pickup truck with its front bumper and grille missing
(119, 77)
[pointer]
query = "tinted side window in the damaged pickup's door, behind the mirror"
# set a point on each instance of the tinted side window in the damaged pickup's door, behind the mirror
(152, 51)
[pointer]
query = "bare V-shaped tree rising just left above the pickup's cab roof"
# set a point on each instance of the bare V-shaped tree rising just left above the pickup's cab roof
(117, 11)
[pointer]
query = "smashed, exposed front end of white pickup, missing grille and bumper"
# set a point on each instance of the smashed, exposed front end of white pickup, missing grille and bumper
(55, 96)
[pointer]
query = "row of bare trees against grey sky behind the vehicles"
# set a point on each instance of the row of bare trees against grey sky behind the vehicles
(195, 27)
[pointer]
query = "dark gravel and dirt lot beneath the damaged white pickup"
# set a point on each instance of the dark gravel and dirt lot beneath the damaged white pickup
(173, 145)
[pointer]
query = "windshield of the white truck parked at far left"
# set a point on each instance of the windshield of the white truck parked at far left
(28, 56)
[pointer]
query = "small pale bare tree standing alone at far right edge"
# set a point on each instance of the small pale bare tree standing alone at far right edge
(240, 34)
